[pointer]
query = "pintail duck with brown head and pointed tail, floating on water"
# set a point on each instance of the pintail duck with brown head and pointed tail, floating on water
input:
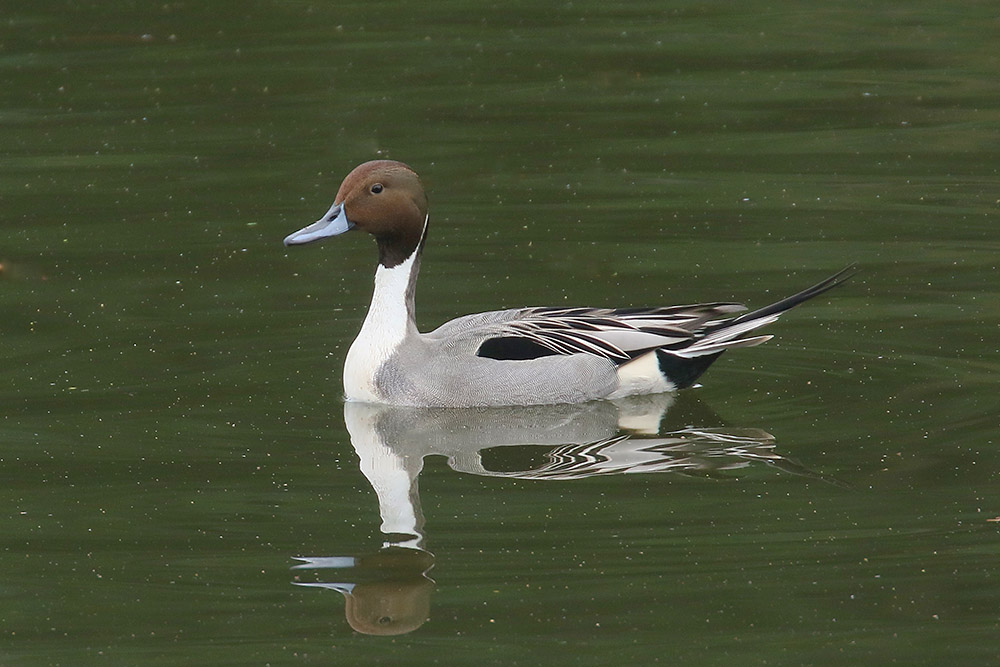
(517, 356)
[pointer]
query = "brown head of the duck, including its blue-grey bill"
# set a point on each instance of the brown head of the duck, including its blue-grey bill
(381, 197)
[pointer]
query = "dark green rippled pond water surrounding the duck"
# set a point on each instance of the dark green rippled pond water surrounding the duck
(172, 439)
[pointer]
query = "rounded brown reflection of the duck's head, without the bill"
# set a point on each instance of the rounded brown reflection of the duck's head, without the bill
(389, 607)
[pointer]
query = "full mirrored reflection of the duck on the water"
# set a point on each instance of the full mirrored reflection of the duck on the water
(389, 592)
